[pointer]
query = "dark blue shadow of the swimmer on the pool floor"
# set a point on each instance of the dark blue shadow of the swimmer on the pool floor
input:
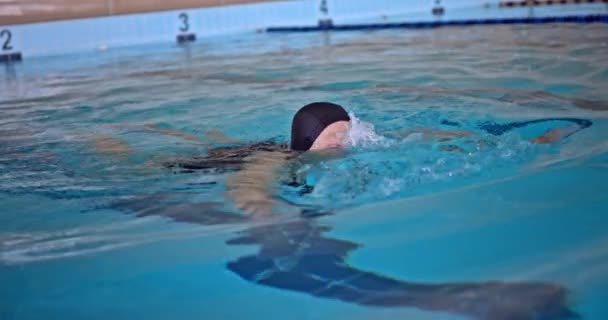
(296, 255)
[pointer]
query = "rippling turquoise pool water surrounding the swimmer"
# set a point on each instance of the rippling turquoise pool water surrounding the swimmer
(93, 226)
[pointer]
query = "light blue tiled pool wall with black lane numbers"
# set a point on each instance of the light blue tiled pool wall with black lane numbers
(166, 27)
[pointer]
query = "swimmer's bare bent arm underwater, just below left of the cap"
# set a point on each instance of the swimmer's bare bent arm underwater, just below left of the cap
(251, 188)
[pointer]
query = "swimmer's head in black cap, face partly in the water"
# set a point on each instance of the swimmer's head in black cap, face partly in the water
(319, 126)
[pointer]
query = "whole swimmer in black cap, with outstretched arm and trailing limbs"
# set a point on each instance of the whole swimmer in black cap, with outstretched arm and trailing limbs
(319, 130)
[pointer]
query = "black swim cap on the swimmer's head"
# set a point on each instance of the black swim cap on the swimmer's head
(311, 120)
